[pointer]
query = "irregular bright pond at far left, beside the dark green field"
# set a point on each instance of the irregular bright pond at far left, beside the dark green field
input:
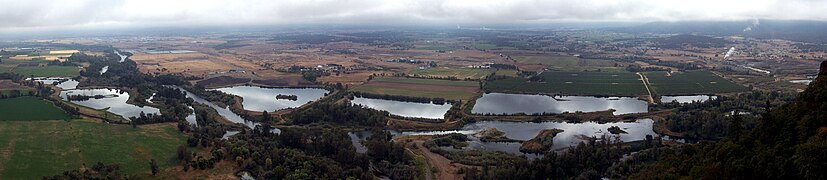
(114, 99)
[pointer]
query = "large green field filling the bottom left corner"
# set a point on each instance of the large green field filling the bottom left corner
(32, 149)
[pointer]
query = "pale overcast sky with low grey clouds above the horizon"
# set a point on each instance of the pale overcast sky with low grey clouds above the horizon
(25, 15)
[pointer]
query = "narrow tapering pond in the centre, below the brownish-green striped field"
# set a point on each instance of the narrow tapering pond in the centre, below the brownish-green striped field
(405, 109)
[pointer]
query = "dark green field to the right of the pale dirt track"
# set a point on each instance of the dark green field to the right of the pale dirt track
(690, 83)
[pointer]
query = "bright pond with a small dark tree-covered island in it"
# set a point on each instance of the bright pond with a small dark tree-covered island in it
(264, 99)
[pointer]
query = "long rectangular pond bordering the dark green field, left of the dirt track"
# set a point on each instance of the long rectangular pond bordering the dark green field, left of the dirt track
(503, 103)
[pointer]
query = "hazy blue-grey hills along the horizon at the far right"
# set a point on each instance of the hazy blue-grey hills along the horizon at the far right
(795, 30)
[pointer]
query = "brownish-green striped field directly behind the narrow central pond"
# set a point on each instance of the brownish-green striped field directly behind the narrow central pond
(431, 88)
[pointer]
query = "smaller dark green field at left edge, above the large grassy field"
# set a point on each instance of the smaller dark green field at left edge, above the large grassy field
(30, 109)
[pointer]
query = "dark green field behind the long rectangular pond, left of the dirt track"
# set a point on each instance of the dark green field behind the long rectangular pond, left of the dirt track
(574, 83)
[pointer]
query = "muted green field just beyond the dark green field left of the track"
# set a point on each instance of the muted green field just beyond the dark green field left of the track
(568, 63)
